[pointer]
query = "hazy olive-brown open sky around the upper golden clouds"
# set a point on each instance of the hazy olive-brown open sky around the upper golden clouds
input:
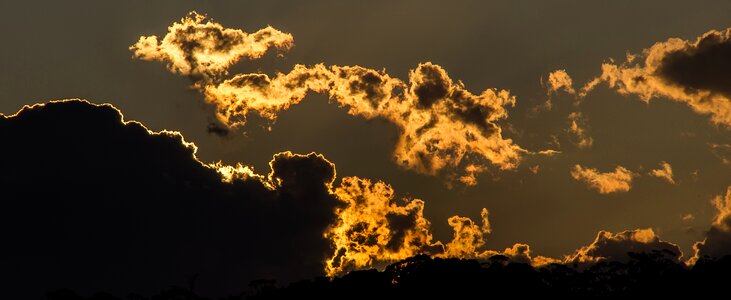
(79, 49)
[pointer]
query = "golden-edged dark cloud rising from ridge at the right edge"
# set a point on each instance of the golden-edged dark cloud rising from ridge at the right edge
(717, 242)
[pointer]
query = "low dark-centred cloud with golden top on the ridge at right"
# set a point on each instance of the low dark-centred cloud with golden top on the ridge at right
(616, 247)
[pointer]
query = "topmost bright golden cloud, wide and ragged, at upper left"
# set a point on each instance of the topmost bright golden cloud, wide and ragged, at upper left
(203, 49)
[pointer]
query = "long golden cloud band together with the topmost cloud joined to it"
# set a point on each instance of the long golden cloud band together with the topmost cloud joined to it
(443, 125)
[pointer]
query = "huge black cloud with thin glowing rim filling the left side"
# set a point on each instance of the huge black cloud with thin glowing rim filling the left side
(90, 202)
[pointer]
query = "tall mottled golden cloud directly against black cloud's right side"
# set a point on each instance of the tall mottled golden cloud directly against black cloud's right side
(373, 228)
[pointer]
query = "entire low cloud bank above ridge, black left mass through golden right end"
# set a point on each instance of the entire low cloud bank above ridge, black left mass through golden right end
(95, 203)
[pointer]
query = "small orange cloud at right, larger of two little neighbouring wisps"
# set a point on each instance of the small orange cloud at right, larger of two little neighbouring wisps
(610, 182)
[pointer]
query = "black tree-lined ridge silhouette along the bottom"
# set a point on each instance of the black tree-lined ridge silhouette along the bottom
(650, 274)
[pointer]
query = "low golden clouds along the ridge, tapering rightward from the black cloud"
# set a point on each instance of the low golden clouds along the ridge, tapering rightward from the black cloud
(374, 229)
